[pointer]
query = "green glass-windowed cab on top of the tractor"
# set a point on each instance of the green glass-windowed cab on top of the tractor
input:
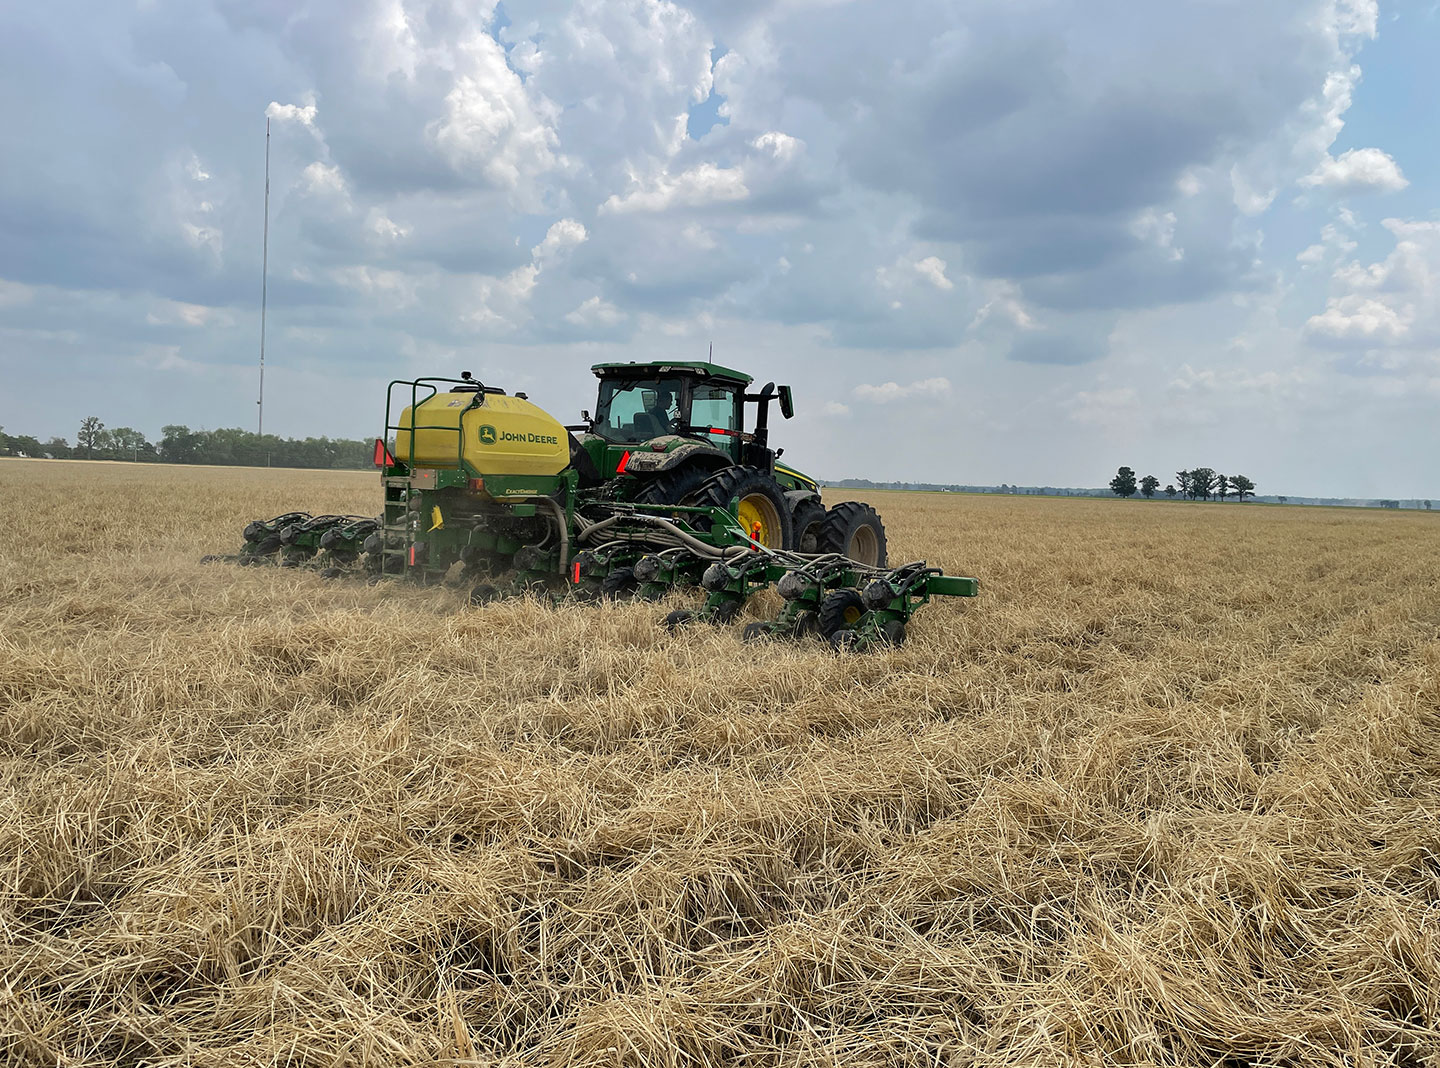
(643, 404)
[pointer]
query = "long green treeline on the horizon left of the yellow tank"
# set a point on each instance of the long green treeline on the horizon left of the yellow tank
(184, 445)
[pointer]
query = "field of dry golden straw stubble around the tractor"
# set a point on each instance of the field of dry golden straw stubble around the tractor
(1166, 794)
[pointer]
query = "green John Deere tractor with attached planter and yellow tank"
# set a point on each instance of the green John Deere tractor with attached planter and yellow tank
(669, 486)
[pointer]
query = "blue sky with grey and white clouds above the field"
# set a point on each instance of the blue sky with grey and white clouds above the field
(996, 241)
